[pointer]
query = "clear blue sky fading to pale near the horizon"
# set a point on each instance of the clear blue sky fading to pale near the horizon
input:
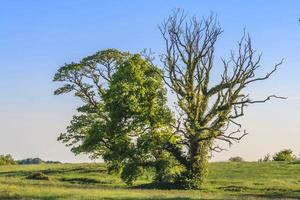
(36, 37)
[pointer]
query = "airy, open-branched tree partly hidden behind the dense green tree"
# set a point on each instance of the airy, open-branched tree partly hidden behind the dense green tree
(88, 80)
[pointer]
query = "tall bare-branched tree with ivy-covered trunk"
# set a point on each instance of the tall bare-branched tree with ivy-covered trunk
(206, 113)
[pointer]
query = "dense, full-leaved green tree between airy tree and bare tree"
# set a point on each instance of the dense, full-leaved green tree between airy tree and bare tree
(136, 104)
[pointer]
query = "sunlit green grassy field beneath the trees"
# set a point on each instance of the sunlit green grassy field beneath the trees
(247, 180)
